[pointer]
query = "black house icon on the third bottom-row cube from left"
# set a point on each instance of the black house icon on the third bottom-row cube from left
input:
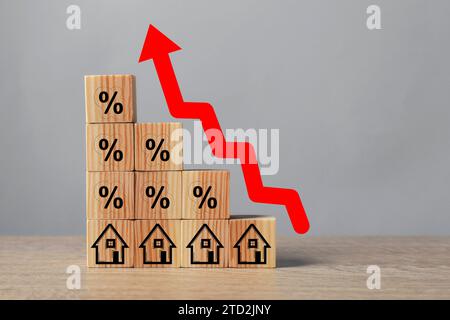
(205, 247)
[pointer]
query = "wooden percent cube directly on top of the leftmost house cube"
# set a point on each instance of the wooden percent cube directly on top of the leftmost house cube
(110, 195)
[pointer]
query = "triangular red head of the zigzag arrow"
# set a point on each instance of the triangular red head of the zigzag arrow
(156, 44)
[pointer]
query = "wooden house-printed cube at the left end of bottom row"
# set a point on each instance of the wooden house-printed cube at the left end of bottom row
(110, 243)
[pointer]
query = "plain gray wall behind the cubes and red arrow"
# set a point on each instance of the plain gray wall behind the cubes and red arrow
(363, 115)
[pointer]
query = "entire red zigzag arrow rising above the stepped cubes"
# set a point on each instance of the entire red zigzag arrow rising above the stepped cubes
(157, 47)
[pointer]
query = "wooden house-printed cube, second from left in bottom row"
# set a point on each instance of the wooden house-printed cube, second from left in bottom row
(157, 243)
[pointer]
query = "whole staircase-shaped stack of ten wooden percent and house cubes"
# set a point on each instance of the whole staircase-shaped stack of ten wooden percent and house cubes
(143, 209)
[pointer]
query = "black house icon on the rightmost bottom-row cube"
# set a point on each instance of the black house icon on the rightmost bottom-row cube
(252, 247)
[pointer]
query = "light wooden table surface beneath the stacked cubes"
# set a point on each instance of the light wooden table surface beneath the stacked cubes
(308, 268)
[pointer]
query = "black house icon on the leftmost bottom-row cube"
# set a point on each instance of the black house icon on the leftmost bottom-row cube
(109, 247)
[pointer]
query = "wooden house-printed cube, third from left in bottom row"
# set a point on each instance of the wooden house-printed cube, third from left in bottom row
(204, 243)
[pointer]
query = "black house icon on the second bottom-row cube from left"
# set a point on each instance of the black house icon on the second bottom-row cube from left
(157, 247)
